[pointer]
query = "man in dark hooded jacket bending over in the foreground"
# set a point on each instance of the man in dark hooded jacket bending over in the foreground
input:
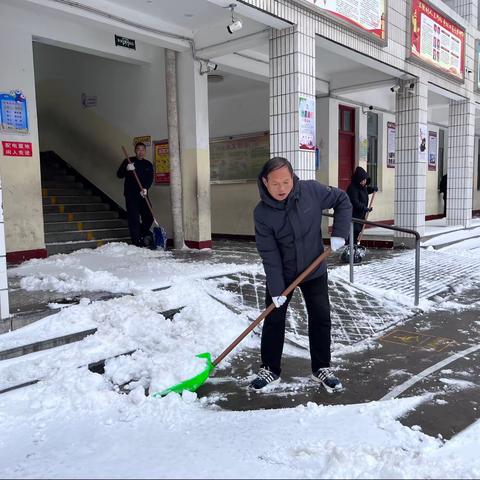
(288, 235)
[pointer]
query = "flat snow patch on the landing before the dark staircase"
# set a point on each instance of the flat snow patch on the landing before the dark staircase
(114, 267)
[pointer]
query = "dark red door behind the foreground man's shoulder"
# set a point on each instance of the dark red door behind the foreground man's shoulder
(346, 145)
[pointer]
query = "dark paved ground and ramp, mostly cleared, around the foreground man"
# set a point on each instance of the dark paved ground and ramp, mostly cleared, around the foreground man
(397, 345)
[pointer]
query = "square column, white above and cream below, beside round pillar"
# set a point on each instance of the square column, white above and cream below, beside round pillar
(194, 151)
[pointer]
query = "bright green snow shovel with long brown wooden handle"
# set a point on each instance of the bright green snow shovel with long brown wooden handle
(195, 382)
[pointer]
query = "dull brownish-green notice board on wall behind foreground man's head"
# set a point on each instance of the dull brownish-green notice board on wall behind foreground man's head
(238, 158)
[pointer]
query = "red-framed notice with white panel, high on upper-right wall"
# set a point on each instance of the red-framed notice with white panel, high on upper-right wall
(437, 41)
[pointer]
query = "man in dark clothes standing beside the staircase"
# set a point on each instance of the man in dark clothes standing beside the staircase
(139, 216)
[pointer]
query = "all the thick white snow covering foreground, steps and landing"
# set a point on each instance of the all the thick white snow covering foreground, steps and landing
(75, 423)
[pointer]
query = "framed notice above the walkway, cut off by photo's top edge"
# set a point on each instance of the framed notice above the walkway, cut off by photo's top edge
(366, 16)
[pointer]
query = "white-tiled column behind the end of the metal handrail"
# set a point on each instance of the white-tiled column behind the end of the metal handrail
(411, 162)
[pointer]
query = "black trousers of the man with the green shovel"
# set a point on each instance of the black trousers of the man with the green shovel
(315, 293)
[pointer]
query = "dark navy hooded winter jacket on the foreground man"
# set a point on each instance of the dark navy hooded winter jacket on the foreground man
(289, 234)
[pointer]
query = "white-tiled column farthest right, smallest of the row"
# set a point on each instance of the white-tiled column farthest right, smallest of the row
(461, 132)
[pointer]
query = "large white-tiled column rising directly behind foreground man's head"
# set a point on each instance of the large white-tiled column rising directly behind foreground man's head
(292, 79)
